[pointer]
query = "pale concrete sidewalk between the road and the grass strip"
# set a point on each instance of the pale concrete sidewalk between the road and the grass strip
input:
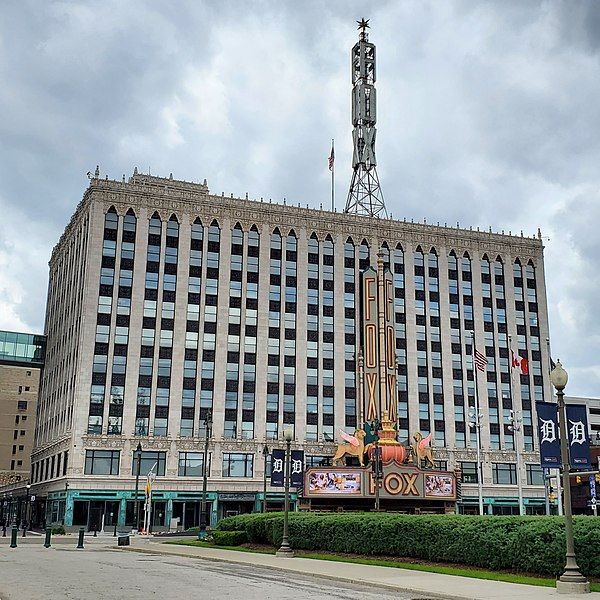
(419, 582)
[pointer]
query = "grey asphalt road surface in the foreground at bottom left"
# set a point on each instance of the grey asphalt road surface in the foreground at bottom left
(32, 572)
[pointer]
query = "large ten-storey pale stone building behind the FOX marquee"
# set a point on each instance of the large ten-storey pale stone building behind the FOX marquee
(166, 301)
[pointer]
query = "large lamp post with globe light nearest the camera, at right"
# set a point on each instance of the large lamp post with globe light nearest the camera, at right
(571, 581)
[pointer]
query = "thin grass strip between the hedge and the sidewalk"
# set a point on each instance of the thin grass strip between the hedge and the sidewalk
(473, 572)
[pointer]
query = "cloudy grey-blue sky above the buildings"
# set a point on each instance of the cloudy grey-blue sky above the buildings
(488, 114)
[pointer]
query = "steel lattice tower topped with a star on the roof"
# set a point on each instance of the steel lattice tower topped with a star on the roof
(365, 196)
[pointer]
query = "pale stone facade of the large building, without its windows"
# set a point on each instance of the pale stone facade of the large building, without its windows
(71, 320)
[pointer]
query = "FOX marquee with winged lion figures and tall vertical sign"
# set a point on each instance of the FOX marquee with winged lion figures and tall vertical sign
(372, 469)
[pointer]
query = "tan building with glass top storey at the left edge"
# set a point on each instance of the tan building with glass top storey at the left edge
(21, 362)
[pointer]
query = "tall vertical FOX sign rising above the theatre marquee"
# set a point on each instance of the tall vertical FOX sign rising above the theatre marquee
(379, 342)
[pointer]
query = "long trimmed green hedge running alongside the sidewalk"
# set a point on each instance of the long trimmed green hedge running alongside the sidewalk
(519, 544)
